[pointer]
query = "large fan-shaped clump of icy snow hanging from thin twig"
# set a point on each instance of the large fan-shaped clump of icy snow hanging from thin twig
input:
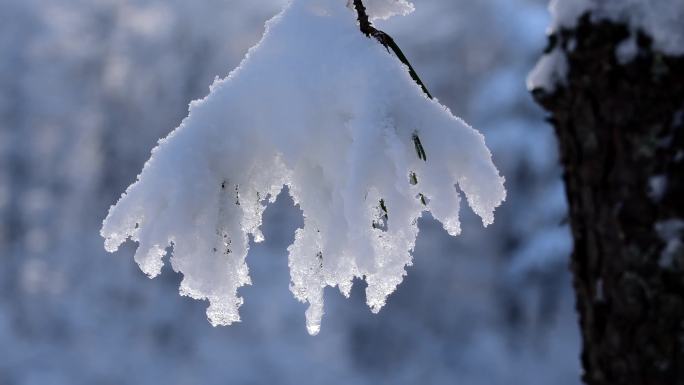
(320, 108)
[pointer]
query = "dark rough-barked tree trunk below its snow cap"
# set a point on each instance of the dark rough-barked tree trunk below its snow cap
(621, 137)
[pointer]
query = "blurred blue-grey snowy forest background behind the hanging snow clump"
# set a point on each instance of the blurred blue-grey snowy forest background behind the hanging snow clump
(86, 90)
